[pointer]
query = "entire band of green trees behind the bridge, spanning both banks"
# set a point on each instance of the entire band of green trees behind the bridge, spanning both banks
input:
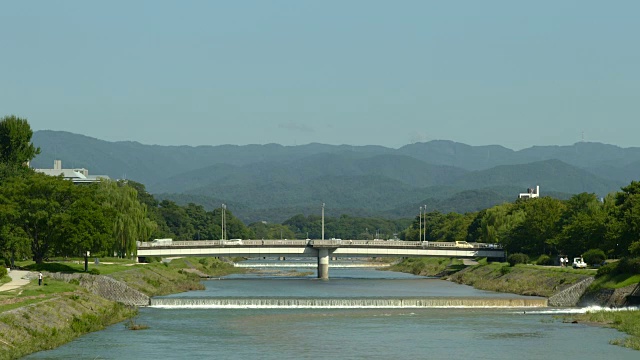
(44, 216)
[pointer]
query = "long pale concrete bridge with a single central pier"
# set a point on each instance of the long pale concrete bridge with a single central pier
(320, 249)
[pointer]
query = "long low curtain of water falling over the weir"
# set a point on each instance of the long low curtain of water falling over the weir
(344, 303)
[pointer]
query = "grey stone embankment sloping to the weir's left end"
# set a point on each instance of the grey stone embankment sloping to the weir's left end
(106, 287)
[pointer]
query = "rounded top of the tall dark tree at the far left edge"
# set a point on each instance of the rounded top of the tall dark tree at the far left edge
(15, 141)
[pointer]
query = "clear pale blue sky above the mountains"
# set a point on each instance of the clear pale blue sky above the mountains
(513, 73)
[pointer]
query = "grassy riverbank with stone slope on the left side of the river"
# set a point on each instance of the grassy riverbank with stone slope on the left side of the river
(35, 318)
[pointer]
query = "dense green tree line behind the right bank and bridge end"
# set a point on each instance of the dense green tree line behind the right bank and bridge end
(547, 226)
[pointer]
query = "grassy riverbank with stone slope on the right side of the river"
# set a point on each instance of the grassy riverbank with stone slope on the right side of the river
(550, 282)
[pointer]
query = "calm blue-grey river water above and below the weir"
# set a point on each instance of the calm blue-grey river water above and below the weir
(183, 332)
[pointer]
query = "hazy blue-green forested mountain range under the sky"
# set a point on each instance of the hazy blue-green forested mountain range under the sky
(273, 182)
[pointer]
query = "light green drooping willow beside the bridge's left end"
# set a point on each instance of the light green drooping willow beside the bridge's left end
(130, 223)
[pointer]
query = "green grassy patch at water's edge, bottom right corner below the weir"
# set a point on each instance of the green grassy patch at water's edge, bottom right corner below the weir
(626, 321)
